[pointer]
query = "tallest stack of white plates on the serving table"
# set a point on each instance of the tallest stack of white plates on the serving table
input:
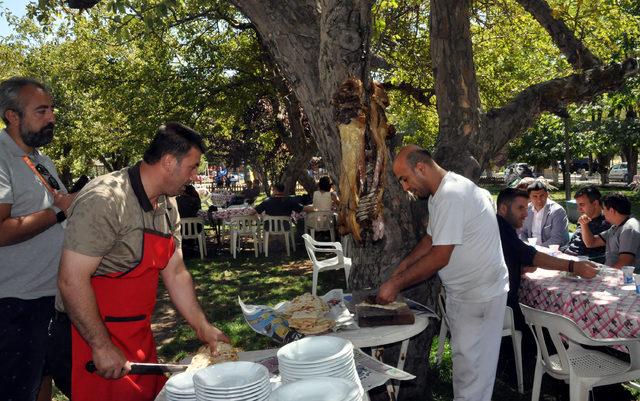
(312, 357)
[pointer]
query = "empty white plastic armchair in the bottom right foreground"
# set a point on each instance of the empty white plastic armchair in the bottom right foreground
(582, 368)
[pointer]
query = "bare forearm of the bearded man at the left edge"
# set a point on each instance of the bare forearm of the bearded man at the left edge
(14, 230)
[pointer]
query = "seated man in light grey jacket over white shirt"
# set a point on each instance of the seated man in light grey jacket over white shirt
(546, 220)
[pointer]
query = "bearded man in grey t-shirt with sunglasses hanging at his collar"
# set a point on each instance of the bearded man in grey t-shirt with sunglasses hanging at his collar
(33, 202)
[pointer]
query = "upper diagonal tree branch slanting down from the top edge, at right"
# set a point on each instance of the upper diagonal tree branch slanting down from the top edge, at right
(574, 50)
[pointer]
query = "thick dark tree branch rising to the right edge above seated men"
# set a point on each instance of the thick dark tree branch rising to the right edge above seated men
(505, 123)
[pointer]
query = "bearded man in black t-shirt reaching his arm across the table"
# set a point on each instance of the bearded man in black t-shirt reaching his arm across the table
(512, 211)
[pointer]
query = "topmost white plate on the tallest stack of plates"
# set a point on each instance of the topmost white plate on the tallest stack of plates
(314, 350)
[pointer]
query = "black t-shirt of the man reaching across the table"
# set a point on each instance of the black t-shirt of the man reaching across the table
(516, 255)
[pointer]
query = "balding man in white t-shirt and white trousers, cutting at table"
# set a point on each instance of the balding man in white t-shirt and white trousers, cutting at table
(463, 246)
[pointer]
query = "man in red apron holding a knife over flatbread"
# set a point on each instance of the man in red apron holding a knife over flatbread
(123, 234)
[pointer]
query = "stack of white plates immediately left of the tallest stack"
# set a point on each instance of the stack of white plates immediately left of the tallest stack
(238, 381)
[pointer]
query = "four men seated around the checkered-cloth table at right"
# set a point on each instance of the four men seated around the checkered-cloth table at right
(606, 233)
